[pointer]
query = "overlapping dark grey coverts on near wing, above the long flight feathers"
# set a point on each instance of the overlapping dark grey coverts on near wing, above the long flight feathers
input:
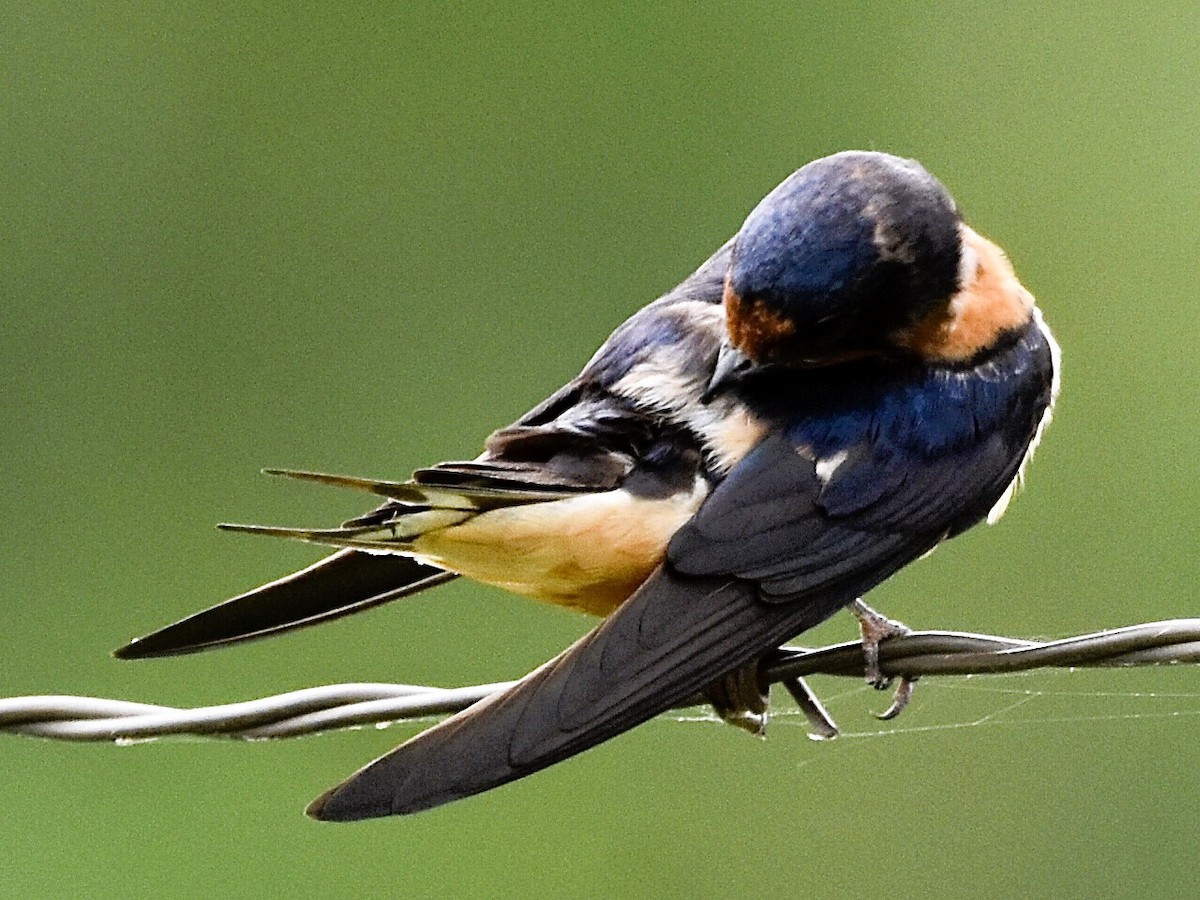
(796, 536)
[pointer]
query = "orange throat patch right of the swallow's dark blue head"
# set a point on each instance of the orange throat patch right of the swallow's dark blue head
(989, 303)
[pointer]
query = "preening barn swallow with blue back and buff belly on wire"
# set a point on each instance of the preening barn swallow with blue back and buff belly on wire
(854, 379)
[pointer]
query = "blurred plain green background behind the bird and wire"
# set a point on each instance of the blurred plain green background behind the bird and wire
(253, 235)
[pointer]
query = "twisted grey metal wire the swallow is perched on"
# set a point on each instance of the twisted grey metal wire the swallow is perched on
(340, 706)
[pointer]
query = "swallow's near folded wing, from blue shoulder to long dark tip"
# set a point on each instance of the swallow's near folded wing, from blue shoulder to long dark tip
(784, 542)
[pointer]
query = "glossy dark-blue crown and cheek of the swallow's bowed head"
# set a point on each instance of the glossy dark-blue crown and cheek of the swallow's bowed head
(845, 251)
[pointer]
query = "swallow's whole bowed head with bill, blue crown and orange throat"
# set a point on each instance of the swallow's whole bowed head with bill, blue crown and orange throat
(859, 255)
